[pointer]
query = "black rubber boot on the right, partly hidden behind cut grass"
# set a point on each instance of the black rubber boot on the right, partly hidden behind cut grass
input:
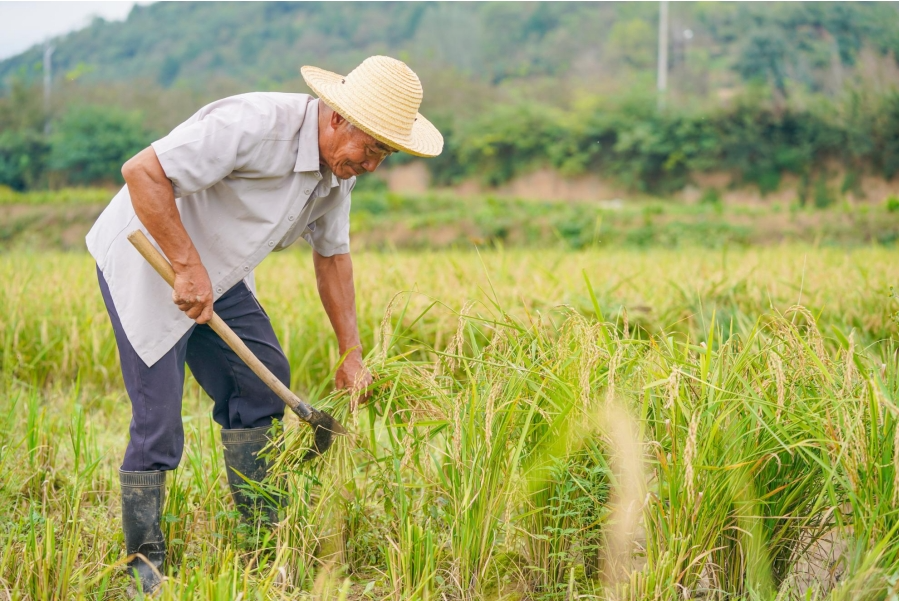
(242, 458)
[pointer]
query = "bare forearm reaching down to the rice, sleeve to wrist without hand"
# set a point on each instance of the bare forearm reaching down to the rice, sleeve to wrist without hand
(334, 277)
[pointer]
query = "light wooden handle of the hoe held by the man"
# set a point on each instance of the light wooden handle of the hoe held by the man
(163, 268)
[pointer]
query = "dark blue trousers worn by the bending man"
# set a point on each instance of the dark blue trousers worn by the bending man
(240, 398)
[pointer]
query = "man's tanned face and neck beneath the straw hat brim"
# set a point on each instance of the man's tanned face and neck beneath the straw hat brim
(350, 150)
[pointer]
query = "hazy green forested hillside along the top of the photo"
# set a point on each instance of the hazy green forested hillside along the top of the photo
(263, 44)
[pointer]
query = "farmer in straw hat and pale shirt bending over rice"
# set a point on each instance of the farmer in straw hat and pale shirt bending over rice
(244, 176)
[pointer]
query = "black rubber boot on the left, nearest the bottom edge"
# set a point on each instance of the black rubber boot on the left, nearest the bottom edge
(143, 495)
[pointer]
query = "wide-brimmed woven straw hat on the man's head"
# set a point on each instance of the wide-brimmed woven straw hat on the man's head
(381, 97)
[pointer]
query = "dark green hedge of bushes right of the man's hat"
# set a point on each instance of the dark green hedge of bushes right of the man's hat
(656, 152)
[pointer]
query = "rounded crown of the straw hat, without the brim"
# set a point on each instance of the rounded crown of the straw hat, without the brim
(390, 85)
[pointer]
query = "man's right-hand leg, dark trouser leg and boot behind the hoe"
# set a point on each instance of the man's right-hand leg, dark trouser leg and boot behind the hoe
(244, 405)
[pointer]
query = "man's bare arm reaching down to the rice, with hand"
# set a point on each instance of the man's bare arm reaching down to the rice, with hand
(334, 276)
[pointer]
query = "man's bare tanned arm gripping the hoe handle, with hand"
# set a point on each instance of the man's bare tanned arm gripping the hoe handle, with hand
(153, 199)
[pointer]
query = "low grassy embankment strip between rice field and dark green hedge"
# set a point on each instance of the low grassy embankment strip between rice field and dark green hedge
(383, 220)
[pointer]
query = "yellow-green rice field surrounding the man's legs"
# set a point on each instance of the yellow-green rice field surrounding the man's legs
(552, 424)
